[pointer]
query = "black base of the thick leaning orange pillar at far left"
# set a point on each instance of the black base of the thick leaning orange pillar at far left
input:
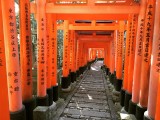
(18, 115)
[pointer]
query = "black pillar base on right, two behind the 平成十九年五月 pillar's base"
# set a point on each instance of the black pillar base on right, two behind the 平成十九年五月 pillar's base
(128, 97)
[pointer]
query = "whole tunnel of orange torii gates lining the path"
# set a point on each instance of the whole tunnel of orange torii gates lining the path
(138, 79)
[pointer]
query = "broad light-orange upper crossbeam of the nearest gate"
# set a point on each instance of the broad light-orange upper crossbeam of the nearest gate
(95, 9)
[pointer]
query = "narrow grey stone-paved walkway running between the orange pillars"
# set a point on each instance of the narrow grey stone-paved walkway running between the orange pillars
(90, 101)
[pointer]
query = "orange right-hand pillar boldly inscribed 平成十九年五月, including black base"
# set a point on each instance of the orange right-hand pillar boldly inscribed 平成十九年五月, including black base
(146, 60)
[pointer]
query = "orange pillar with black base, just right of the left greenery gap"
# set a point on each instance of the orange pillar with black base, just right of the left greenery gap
(65, 79)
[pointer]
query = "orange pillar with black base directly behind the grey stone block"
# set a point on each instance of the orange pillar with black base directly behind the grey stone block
(42, 99)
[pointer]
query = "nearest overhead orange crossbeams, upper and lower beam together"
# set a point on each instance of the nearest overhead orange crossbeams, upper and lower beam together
(90, 11)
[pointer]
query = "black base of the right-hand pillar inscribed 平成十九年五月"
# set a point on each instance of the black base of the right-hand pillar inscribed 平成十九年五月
(140, 112)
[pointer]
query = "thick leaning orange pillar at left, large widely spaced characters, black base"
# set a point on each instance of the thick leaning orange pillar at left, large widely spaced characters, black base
(17, 111)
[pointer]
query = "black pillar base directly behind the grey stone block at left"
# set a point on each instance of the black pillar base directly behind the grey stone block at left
(42, 101)
